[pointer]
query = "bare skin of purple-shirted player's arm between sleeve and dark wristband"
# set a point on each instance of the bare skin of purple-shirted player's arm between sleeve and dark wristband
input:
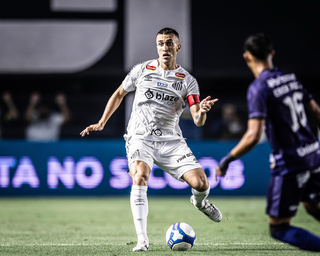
(250, 139)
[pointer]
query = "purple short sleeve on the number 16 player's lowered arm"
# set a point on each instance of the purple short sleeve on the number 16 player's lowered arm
(257, 101)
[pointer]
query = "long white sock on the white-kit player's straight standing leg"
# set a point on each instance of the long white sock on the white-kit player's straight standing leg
(139, 207)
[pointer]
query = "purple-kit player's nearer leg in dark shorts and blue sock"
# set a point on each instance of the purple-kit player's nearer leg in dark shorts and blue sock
(283, 196)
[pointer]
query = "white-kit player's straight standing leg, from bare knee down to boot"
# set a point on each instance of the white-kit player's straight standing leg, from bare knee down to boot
(139, 172)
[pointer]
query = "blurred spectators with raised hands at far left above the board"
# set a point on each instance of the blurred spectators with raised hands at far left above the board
(39, 120)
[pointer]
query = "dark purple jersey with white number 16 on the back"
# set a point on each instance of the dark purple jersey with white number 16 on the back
(281, 100)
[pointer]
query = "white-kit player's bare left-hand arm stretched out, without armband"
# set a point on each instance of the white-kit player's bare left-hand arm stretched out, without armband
(111, 107)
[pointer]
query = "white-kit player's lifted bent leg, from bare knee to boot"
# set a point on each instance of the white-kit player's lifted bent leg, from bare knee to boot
(198, 181)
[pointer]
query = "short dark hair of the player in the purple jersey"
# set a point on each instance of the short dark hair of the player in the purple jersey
(259, 45)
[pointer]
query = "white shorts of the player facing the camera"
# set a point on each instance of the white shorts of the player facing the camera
(173, 157)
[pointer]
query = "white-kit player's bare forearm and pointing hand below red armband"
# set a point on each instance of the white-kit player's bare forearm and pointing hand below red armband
(199, 110)
